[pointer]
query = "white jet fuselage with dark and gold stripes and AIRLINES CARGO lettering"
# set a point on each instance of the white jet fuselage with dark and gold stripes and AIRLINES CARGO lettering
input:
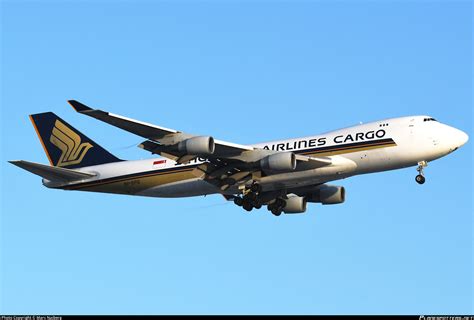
(372, 147)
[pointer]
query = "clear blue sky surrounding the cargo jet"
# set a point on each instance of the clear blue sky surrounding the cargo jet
(242, 72)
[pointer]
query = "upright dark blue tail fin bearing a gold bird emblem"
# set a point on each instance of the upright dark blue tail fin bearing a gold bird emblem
(65, 146)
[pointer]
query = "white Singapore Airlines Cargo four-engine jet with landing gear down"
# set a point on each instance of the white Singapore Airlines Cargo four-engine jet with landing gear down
(282, 175)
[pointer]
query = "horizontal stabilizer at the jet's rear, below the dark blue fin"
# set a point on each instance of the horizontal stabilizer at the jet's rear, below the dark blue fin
(52, 173)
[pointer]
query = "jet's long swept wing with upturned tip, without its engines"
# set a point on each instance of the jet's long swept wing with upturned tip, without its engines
(228, 163)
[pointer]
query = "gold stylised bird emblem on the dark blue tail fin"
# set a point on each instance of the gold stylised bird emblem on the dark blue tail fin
(69, 142)
